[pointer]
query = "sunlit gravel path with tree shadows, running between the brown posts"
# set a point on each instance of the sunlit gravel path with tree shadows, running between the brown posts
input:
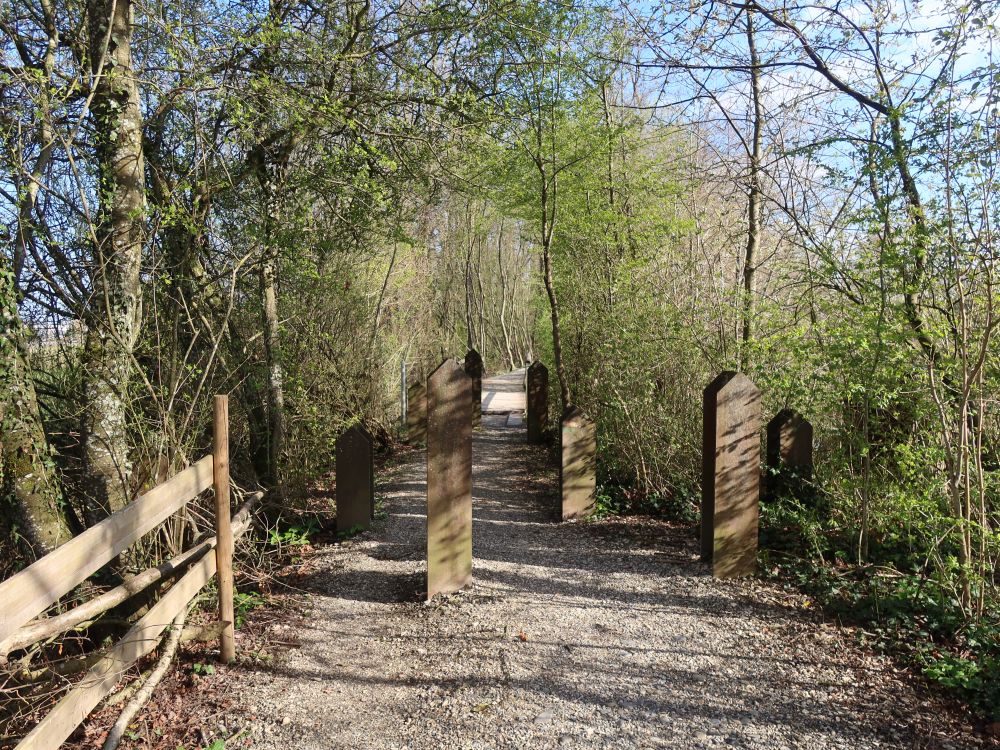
(601, 635)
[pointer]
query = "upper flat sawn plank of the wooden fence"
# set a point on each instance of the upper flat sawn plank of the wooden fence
(31, 591)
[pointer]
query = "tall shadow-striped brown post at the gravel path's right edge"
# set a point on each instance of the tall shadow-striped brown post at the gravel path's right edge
(730, 496)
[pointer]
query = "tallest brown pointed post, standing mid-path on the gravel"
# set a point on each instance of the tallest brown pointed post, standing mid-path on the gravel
(449, 480)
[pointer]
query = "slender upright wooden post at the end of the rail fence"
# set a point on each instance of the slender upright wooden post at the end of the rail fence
(223, 528)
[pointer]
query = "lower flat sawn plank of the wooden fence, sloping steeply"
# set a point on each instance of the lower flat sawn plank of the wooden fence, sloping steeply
(101, 679)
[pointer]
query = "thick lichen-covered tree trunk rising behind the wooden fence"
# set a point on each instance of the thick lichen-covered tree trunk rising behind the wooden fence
(113, 315)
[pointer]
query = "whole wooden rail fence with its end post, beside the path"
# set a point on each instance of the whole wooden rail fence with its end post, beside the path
(30, 592)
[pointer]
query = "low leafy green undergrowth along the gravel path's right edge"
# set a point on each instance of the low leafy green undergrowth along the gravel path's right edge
(901, 604)
